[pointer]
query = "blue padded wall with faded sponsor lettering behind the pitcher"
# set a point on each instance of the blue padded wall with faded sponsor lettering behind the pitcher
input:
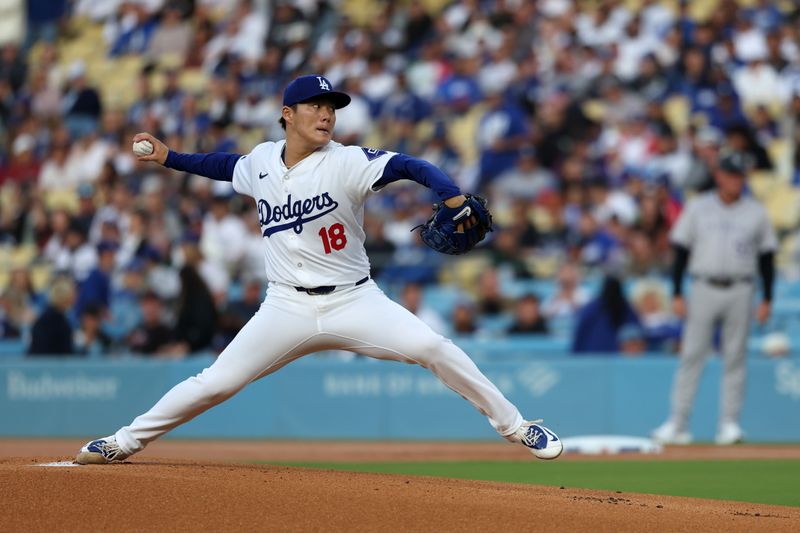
(318, 398)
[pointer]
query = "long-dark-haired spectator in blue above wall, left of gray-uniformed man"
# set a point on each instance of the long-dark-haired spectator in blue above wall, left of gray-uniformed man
(602, 319)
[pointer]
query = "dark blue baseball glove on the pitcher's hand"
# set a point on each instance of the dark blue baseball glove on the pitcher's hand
(456, 230)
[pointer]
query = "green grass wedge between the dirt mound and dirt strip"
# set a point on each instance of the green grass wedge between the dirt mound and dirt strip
(768, 481)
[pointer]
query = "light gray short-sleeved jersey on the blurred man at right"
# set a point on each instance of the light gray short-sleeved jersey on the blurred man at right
(724, 240)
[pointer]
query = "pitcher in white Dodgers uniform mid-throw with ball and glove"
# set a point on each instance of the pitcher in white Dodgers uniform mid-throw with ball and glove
(310, 193)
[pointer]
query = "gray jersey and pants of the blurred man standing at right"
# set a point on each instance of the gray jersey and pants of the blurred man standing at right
(724, 242)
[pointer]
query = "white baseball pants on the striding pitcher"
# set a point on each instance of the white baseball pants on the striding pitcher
(291, 324)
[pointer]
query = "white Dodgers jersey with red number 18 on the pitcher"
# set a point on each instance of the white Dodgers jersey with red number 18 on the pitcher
(312, 214)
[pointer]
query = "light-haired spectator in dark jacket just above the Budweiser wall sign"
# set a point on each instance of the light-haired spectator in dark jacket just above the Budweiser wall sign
(52, 332)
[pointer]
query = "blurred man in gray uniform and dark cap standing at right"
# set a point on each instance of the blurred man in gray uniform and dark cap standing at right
(723, 236)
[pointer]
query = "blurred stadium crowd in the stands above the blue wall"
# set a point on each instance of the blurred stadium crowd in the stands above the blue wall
(586, 124)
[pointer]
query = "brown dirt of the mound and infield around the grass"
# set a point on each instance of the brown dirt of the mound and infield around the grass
(185, 485)
